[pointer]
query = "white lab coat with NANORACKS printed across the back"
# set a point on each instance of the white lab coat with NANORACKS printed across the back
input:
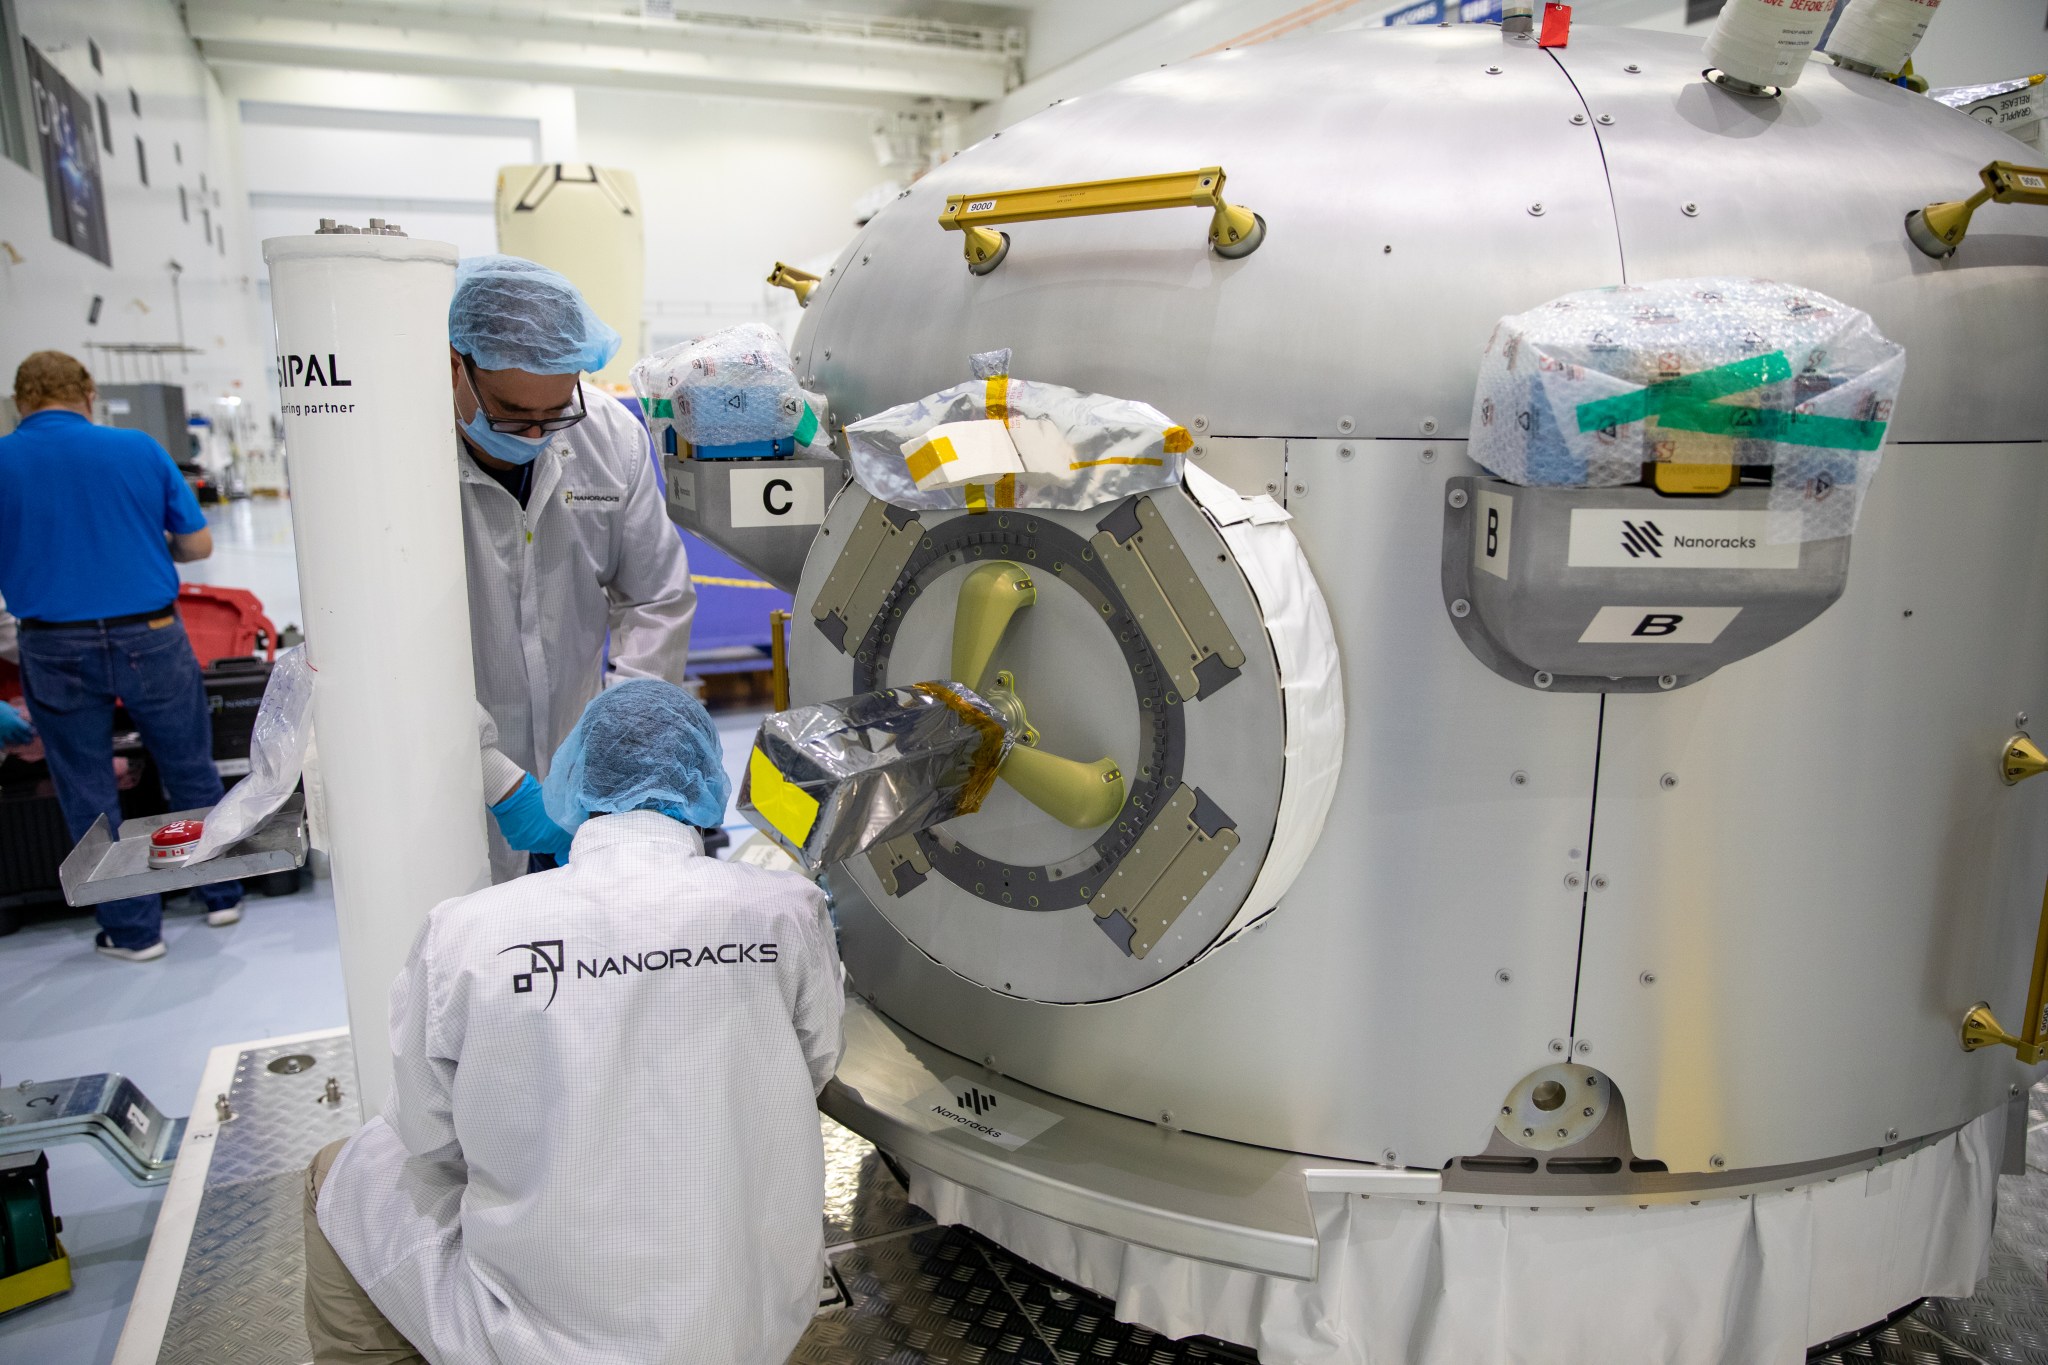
(589, 1157)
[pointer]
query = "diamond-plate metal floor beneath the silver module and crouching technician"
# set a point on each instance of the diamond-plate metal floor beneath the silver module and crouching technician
(916, 1294)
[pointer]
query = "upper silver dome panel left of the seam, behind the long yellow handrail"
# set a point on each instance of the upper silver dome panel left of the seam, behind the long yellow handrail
(1349, 144)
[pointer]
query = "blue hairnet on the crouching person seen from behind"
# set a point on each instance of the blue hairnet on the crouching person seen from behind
(642, 746)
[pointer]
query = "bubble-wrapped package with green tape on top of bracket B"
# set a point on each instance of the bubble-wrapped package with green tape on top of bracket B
(1588, 390)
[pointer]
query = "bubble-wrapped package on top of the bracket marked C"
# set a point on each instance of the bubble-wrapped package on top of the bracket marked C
(728, 388)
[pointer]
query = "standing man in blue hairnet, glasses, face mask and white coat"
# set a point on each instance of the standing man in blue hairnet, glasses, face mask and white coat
(564, 531)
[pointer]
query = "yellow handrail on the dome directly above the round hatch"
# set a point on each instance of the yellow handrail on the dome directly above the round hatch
(1234, 230)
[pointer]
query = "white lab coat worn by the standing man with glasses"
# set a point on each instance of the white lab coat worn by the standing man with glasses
(591, 554)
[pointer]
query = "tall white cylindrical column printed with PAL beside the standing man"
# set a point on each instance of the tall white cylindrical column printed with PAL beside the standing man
(370, 437)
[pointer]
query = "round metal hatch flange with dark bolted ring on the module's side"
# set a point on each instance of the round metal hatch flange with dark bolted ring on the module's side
(1009, 897)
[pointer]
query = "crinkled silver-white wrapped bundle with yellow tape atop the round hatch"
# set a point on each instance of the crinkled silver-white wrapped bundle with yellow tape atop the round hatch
(1113, 447)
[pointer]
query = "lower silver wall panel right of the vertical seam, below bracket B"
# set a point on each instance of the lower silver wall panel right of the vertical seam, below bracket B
(1838, 871)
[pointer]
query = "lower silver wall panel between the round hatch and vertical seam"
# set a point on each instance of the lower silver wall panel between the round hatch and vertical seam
(1369, 981)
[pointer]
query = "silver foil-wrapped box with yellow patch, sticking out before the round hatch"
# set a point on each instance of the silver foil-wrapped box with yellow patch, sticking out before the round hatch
(833, 781)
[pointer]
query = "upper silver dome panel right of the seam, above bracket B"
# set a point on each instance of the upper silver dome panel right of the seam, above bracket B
(1814, 189)
